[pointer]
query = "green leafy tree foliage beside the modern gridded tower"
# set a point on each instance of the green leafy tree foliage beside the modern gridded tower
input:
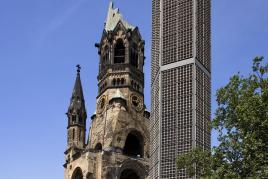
(241, 120)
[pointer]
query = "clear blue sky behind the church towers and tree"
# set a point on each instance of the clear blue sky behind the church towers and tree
(42, 41)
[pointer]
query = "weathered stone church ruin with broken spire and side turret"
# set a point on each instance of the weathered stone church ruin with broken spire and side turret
(118, 142)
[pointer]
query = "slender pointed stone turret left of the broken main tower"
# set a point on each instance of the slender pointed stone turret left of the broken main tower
(77, 115)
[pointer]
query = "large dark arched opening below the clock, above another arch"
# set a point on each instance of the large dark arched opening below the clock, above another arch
(134, 144)
